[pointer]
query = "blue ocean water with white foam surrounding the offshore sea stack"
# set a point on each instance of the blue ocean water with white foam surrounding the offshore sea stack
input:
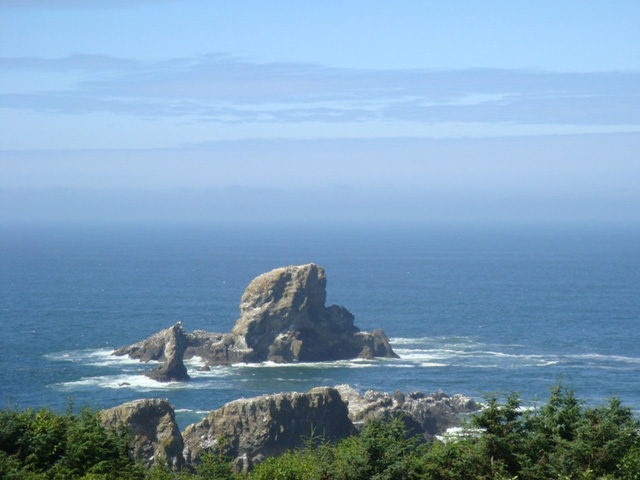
(469, 310)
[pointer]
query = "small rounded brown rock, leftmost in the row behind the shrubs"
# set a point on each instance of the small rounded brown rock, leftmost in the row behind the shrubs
(151, 423)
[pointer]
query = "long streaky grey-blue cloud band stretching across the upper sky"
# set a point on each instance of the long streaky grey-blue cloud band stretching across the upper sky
(218, 88)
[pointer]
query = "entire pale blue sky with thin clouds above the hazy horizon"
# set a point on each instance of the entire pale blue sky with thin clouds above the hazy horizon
(334, 111)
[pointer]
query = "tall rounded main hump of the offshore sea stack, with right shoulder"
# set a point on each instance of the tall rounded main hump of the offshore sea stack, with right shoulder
(283, 319)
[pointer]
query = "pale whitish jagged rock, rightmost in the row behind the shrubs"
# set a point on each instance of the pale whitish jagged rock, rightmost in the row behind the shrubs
(424, 415)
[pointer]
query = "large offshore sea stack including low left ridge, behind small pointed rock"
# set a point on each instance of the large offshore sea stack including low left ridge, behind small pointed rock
(283, 318)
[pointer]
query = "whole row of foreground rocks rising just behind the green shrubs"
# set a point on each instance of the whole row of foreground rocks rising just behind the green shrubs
(250, 430)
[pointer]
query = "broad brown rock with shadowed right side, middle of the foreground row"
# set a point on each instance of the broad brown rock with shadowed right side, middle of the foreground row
(256, 428)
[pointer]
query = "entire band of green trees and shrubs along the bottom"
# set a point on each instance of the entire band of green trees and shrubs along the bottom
(562, 439)
